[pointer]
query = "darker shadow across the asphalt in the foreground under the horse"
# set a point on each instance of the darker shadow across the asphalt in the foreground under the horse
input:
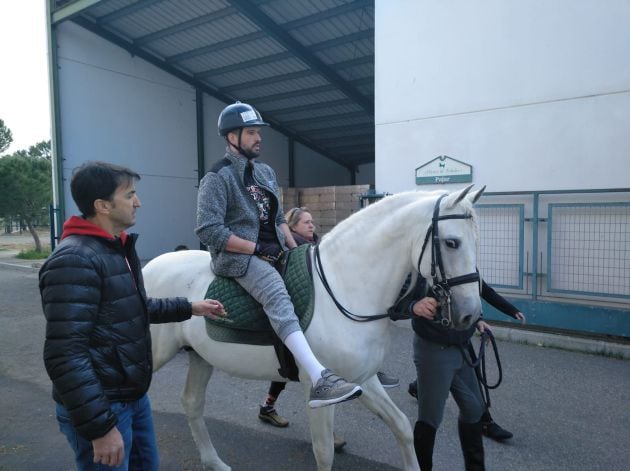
(30, 440)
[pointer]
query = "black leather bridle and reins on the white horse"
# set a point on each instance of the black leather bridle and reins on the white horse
(441, 287)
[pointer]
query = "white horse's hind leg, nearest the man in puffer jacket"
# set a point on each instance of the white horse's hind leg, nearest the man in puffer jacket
(194, 401)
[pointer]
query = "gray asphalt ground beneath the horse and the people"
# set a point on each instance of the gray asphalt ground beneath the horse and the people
(567, 410)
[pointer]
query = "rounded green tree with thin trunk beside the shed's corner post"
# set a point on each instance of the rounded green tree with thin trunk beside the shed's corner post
(26, 182)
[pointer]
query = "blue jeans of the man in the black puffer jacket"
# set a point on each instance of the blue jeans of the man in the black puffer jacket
(135, 424)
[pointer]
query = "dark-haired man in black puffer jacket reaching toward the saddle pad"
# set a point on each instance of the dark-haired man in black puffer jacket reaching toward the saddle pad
(98, 344)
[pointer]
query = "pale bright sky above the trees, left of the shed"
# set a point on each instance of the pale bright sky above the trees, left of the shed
(24, 98)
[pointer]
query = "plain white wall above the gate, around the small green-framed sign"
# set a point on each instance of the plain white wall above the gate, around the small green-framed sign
(534, 95)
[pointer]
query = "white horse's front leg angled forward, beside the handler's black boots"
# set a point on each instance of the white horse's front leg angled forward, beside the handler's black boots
(378, 401)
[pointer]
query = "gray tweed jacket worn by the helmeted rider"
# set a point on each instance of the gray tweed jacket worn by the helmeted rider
(225, 207)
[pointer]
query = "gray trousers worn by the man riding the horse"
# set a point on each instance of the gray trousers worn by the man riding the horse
(266, 286)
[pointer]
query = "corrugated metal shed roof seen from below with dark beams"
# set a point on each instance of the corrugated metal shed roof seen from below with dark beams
(307, 66)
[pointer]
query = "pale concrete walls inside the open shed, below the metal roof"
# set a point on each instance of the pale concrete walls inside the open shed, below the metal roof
(118, 108)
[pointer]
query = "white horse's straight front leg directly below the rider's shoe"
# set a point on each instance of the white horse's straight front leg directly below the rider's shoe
(321, 422)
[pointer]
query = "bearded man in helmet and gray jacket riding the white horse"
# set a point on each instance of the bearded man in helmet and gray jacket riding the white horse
(239, 218)
